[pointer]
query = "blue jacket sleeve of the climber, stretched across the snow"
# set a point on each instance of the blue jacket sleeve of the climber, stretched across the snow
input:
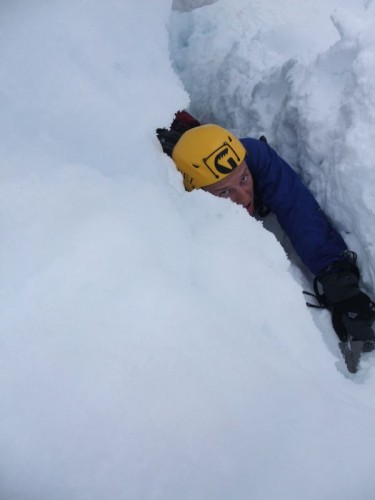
(279, 187)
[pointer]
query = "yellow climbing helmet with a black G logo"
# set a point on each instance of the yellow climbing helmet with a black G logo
(206, 154)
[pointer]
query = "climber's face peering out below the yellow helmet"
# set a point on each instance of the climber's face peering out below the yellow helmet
(237, 186)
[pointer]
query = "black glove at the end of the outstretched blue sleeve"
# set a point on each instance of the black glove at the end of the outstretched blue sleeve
(353, 312)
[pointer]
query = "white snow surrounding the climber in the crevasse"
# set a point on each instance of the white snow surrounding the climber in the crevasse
(155, 344)
